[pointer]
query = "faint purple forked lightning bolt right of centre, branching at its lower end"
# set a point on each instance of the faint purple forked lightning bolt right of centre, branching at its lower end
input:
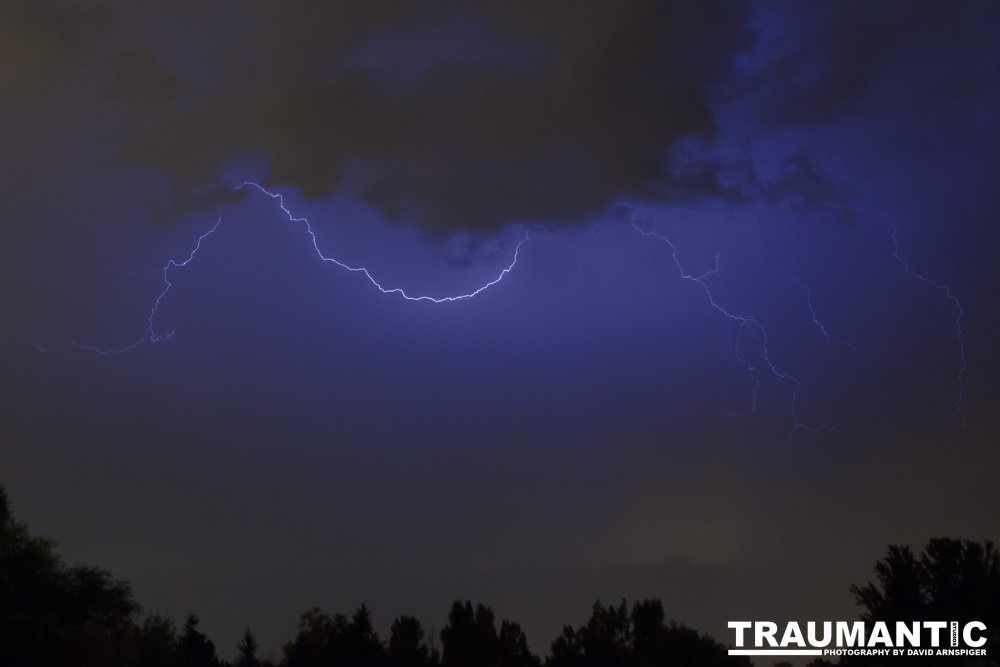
(750, 326)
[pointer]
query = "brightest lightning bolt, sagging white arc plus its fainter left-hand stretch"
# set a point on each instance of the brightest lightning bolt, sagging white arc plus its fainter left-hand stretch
(150, 335)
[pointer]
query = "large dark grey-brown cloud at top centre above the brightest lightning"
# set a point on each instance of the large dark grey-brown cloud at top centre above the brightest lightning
(471, 142)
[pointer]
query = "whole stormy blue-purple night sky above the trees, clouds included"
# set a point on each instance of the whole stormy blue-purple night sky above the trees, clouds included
(710, 377)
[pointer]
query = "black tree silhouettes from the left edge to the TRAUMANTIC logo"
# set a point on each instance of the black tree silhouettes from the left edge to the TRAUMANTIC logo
(52, 615)
